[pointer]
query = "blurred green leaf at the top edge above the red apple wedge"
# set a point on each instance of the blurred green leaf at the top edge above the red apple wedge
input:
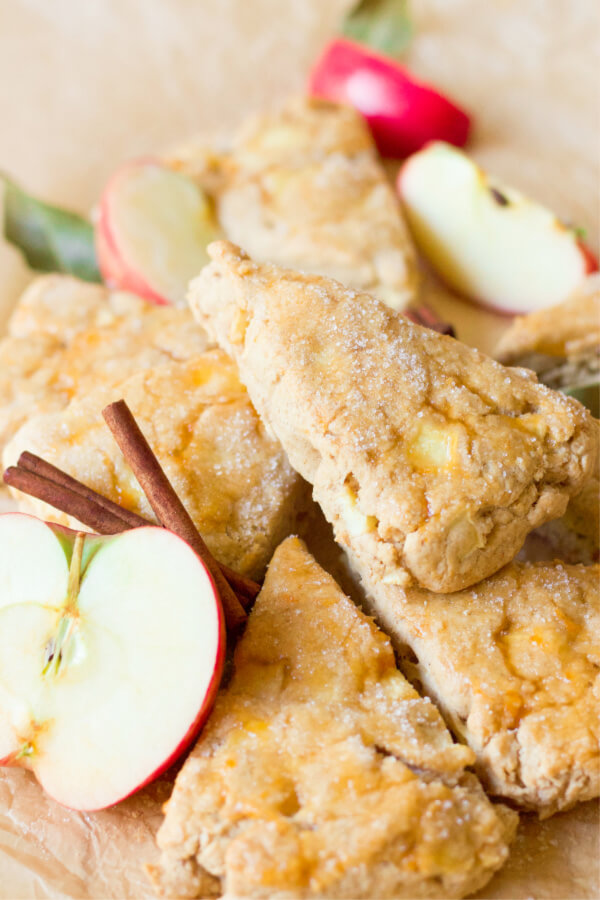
(384, 25)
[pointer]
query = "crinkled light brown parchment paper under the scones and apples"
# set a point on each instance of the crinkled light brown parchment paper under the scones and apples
(84, 85)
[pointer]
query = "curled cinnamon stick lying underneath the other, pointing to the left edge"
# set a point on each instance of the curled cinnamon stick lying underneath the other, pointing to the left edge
(87, 513)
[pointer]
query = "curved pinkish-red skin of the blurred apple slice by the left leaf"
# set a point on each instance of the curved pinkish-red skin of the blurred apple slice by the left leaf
(114, 268)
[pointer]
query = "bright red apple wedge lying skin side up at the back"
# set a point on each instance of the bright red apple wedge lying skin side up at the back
(404, 114)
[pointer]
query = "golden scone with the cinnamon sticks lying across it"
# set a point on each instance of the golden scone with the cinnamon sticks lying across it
(234, 480)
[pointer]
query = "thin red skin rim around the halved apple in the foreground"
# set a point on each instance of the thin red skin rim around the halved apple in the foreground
(204, 711)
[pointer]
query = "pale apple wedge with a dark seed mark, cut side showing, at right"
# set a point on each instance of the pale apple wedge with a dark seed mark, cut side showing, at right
(486, 240)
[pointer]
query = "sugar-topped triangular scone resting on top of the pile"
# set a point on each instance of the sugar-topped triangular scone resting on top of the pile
(432, 461)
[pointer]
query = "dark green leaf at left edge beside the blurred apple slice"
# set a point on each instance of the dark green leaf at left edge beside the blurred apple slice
(50, 239)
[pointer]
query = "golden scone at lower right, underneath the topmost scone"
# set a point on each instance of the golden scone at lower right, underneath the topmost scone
(514, 665)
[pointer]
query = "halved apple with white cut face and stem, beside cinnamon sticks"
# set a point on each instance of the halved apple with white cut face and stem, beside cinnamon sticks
(111, 652)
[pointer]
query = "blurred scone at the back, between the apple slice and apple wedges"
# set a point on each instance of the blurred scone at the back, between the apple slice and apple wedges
(305, 189)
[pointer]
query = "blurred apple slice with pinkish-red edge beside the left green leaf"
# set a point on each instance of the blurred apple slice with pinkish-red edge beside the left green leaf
(152, 232)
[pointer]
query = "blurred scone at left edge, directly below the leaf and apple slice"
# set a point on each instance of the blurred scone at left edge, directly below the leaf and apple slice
(65, 337)
